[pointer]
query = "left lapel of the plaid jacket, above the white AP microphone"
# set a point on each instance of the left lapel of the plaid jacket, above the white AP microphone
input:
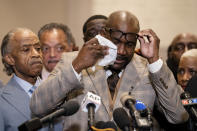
(98, 79)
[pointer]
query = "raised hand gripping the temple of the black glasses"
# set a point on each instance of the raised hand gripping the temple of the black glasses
(150, 48)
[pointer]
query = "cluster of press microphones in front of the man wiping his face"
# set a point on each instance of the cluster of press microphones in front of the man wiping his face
(139, 117)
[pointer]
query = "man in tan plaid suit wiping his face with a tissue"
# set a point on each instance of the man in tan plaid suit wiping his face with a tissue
(147, 78)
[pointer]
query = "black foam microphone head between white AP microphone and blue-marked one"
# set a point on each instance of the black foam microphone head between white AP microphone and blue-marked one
(121, 118)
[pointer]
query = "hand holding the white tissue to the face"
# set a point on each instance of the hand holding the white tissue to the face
(89, 54)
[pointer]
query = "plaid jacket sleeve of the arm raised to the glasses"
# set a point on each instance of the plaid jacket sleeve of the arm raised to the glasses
(168, 95)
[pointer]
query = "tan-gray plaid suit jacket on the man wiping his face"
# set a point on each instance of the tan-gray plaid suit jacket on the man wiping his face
(144, 86)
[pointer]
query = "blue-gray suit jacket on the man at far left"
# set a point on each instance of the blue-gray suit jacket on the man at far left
(14, 109)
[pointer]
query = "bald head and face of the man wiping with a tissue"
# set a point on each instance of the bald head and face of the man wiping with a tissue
(122, 28)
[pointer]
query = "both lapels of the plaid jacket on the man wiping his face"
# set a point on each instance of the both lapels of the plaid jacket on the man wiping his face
(130, 79)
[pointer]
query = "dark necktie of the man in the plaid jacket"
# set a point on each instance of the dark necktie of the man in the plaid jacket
(112, 81)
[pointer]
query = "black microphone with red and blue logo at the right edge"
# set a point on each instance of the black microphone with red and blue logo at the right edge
(192, 111)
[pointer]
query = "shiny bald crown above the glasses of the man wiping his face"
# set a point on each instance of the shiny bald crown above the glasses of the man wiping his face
(123, 19)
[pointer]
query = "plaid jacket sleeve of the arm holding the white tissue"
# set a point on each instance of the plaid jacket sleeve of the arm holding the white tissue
(52, 91)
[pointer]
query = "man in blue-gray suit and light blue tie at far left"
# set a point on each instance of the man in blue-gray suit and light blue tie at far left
(21, 56)
